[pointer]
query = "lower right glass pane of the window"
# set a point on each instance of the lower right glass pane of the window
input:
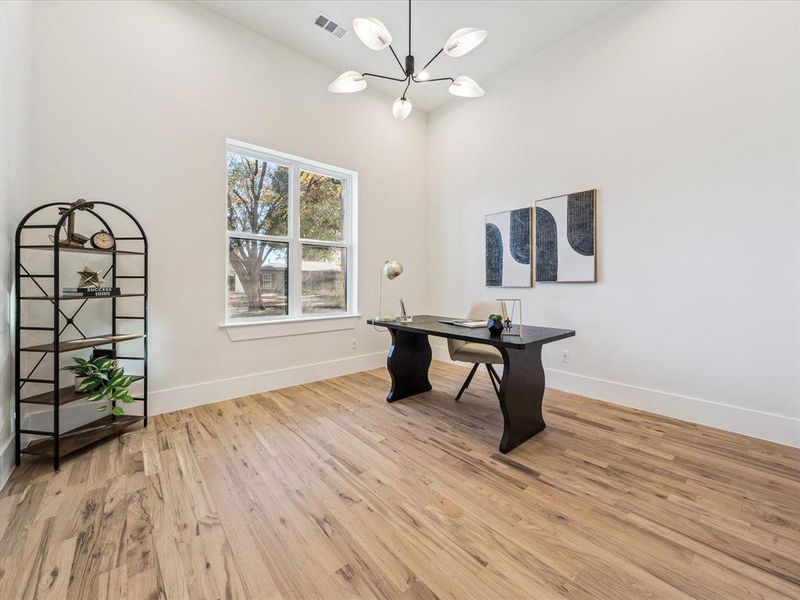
(323, 279)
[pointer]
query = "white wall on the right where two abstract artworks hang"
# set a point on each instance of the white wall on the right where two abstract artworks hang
(685, 118)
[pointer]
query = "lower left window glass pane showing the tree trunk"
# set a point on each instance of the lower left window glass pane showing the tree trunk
(258, 278)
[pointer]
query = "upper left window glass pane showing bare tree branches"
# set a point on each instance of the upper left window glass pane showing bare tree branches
(258, 196)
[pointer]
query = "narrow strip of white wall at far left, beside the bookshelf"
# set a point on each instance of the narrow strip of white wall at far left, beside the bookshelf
(16, 19)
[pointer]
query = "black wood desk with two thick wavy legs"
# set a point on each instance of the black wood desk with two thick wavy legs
(522, 385)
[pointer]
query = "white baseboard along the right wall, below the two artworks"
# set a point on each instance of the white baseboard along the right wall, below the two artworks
(754, 423)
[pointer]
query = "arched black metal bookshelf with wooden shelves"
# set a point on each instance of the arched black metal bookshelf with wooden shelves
(66, 334)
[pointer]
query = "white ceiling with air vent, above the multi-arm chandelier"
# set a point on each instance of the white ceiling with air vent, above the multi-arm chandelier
(517, 29)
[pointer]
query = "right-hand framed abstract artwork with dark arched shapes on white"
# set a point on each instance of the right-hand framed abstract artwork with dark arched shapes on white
(565, 238)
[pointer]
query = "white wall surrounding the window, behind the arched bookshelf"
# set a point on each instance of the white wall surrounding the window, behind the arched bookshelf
(132, 104)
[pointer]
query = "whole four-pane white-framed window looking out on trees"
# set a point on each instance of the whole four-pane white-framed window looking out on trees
(290, 237)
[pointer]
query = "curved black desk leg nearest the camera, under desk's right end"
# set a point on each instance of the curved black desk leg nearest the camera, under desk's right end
(521, 393)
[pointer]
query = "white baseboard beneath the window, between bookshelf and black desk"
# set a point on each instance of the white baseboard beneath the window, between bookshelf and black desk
(177, 398)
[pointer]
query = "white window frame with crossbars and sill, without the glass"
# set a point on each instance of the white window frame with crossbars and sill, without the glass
(324, 321)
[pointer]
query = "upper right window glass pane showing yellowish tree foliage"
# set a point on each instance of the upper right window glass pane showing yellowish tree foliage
(321, 207)
